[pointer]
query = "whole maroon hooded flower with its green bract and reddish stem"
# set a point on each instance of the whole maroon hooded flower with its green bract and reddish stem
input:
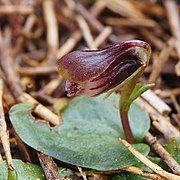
(93, 72)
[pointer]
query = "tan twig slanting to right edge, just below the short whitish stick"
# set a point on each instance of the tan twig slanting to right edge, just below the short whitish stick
(160, 122)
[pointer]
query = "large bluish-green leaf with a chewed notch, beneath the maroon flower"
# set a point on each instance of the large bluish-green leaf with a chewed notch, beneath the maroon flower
(89, 135)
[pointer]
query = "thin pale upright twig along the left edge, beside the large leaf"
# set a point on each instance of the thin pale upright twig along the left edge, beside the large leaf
(3, 131)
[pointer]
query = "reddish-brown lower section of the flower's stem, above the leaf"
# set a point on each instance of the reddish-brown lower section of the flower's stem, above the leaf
(126, 127)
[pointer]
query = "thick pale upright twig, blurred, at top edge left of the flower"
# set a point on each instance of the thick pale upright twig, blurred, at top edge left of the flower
(52, 30)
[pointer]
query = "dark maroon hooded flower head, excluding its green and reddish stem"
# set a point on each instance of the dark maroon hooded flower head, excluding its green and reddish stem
(93, 72)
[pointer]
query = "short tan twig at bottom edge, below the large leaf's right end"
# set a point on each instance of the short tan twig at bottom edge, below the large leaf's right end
(141, 172)
